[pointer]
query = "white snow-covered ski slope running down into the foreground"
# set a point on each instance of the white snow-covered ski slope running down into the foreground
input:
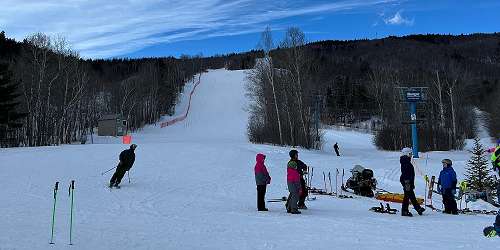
(192, 187)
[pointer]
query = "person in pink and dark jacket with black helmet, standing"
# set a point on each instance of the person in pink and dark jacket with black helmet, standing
(293, 182)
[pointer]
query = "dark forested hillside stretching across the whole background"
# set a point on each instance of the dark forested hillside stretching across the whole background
(64, 95)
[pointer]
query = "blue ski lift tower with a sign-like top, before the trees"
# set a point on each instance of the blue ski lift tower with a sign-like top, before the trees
(413, 96)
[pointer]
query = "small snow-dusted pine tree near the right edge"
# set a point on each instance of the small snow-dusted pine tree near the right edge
(478, 172)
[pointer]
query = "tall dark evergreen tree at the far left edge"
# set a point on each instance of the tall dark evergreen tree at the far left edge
(9, 116)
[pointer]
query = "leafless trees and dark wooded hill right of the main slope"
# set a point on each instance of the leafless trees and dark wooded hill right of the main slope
(359, 82)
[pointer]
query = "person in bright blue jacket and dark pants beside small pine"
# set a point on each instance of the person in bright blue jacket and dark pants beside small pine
(447, 184)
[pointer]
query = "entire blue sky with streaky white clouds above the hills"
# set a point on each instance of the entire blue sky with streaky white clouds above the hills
(157, 28)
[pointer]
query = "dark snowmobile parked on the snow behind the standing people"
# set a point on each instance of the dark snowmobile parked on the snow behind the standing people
(362, 181)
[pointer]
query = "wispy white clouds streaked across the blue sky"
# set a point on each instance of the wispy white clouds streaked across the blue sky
(116, 27)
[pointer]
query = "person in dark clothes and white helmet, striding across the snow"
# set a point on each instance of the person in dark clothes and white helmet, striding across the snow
(407, 179)
